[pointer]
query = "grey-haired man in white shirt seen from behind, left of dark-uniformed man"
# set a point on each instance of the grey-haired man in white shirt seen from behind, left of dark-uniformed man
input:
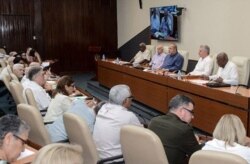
(110, 119)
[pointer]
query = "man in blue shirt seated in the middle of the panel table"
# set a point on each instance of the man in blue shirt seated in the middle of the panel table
(173, 62)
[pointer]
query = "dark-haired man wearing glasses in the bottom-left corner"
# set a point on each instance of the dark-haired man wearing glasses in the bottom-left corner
(13, 137)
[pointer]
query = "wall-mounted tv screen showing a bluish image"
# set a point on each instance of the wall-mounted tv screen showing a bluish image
(163, 23)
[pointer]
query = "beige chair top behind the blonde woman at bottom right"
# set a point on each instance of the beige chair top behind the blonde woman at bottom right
(209, 157)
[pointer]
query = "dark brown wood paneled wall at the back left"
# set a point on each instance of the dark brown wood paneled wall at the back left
(65, 29)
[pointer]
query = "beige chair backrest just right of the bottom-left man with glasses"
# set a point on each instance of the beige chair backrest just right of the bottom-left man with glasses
(38, 133)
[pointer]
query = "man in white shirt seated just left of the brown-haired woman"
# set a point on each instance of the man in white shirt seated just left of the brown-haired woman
(36, 83)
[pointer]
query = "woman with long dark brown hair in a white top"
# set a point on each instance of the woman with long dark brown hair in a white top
(61, 101)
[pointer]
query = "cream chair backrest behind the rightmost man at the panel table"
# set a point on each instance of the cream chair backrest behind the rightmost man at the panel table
(243, 66)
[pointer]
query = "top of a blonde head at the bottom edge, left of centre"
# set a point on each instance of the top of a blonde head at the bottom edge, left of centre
(59, 153)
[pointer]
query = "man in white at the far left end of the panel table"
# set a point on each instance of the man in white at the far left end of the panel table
(142, 56)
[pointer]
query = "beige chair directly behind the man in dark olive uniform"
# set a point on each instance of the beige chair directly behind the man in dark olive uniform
(141, 145)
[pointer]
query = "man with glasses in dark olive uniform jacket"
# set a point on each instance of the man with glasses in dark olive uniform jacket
(173, 129)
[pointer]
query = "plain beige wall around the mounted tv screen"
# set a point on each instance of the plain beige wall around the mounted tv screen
(223, 25)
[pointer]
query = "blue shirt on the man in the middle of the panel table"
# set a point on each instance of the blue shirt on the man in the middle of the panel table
(173, 62)
